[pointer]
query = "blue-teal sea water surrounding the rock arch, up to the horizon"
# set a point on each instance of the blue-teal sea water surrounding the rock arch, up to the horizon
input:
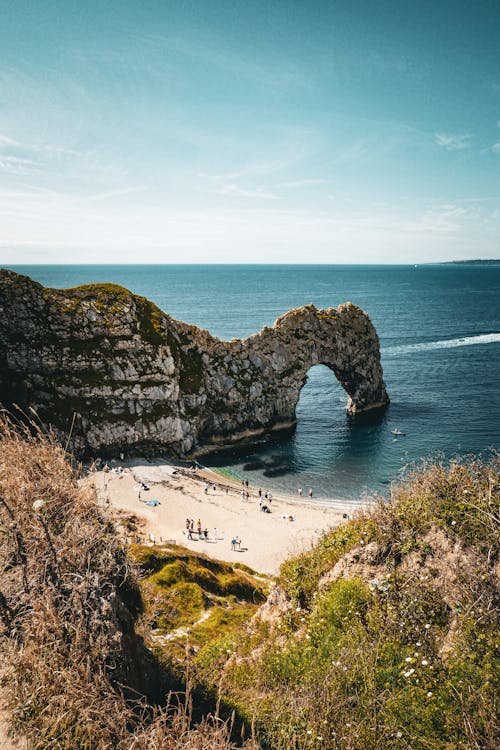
(439, 330)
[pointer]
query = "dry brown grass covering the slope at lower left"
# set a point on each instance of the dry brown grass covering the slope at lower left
(75, 672)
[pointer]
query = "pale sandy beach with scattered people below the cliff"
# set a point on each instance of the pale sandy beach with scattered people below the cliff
(175, 495)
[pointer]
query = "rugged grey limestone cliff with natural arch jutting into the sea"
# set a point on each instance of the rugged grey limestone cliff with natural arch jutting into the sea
(132, 378)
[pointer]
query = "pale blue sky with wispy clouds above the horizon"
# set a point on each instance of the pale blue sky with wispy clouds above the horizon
(275, 131)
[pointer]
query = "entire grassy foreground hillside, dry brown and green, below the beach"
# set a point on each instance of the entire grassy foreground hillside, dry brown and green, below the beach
(383, 635)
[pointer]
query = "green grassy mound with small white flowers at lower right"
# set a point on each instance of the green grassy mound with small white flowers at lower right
(385, 635)
